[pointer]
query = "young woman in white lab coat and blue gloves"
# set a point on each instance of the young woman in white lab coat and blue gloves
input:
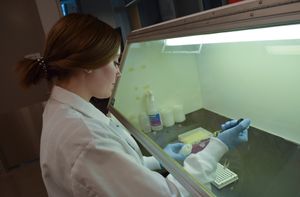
(83, 152)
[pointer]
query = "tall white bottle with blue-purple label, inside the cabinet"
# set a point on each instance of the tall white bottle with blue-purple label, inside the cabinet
(153, 113)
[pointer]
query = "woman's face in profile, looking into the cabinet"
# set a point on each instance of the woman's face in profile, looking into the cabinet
(101, 81)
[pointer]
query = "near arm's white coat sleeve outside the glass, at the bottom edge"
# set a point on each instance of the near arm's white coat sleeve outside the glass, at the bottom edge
(105, 169)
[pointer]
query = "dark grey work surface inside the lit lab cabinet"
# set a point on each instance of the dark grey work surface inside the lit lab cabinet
(267, 165)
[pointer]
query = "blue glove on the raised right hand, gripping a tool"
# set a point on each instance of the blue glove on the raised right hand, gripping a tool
(234, 133)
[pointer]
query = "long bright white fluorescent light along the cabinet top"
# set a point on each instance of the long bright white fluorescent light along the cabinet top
(286, 32)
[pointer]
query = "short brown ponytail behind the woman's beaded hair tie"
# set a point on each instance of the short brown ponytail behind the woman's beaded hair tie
(31, 71)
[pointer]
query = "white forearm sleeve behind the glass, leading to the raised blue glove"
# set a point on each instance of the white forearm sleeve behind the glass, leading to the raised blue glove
(203, 164)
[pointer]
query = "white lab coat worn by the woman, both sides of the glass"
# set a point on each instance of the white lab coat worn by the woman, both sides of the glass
(84, 154)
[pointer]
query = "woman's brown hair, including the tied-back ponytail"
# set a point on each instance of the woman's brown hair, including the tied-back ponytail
(75, 41)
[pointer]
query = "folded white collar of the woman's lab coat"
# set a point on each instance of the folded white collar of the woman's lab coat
(78, 103)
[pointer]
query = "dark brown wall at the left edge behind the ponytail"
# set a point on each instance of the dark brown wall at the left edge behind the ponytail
(21, 33)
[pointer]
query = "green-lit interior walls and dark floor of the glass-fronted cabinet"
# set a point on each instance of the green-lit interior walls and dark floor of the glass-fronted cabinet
(216, 82)
